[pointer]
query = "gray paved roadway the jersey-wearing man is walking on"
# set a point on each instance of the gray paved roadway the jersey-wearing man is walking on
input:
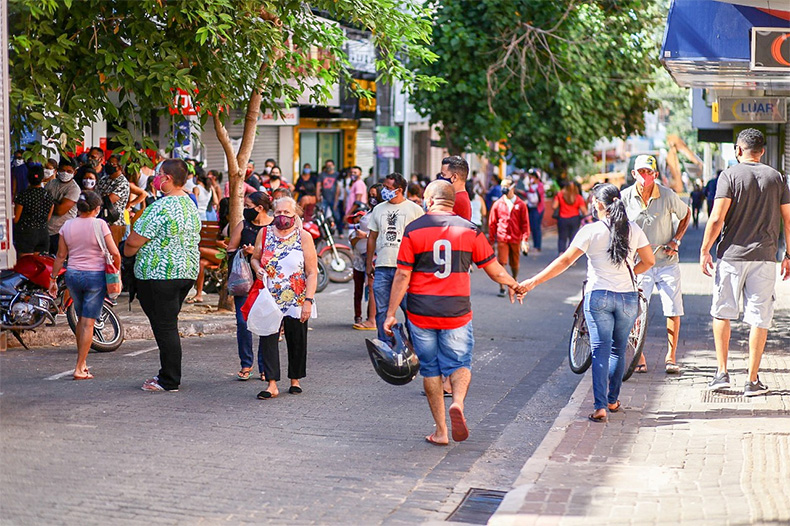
(349, 450)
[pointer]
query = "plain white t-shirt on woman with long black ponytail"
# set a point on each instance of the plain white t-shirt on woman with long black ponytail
(602, 274)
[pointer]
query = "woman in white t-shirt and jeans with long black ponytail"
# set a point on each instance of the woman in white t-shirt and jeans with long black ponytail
(611, 300)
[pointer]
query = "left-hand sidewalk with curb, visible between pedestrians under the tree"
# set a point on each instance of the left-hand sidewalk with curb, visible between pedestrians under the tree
(195, 320)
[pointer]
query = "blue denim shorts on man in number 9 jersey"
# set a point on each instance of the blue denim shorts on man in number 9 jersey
(442, 351)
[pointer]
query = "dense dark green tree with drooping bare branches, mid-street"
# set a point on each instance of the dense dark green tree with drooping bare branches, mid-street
(550, 77)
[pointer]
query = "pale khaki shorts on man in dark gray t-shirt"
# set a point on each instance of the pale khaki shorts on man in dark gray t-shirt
(749, 282)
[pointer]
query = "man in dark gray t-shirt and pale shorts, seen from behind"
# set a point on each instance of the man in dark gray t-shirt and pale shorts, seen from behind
(752, 200)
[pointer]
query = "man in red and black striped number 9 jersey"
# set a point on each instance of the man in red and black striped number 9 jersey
(433, 266)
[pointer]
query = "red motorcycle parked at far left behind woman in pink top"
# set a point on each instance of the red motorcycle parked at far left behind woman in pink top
(25, 303)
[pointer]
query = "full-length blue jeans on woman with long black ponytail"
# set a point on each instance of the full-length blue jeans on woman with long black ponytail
(610, 317)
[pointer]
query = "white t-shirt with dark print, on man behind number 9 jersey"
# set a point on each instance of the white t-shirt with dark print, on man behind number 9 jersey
(390, 221)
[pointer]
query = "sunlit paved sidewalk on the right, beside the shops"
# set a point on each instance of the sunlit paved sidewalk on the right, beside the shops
(678, 453)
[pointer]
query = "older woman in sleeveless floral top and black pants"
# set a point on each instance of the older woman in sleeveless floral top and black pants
(285, 261)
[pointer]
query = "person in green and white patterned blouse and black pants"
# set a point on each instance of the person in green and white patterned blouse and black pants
(165, 239)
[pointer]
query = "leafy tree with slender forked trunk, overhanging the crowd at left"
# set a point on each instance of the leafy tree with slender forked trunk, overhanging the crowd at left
(77, 61)
